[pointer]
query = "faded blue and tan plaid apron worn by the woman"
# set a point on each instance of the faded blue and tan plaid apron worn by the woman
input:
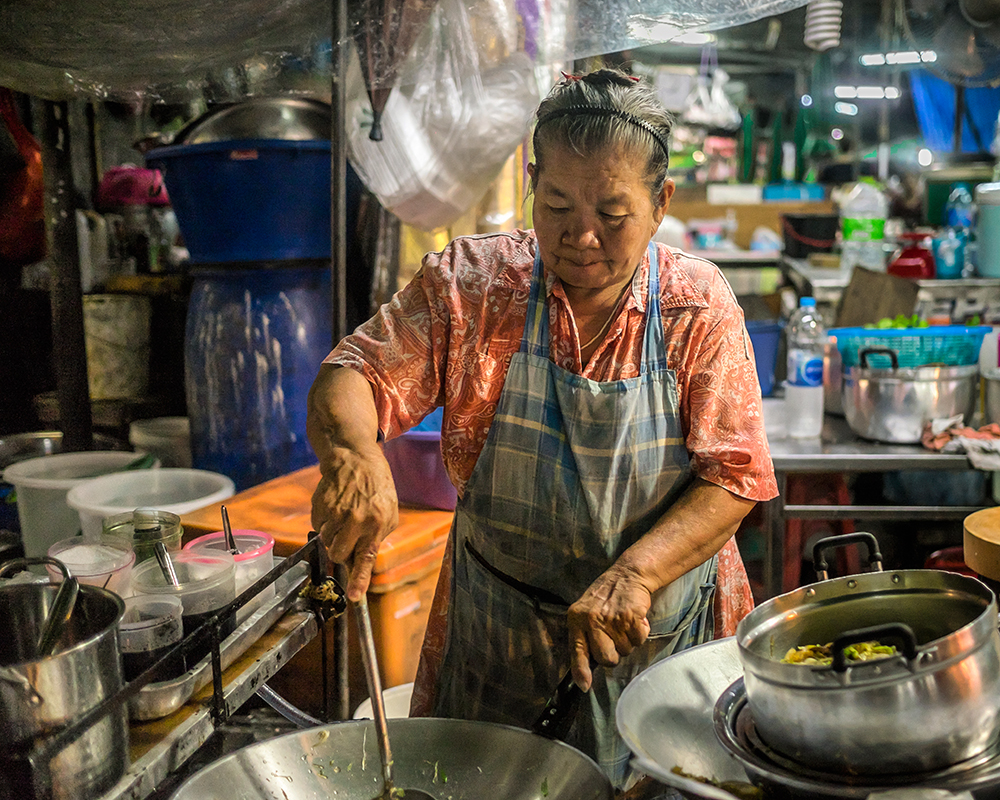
(573, 472)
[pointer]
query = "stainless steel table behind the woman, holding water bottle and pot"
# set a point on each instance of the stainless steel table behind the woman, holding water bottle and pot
(839, 449)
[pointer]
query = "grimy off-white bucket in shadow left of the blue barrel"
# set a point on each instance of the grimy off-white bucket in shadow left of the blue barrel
(116, 331)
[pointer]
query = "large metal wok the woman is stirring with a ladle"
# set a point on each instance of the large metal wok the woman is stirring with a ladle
(448, 759)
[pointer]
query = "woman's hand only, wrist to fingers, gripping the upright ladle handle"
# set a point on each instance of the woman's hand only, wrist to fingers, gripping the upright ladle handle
(354, 508)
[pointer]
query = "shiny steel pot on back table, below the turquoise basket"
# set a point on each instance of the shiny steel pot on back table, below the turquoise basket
(894, 404)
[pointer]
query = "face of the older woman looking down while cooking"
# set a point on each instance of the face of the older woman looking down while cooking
(593, 216)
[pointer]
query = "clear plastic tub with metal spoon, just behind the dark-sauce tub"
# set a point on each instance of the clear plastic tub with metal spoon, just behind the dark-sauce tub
(206, 583)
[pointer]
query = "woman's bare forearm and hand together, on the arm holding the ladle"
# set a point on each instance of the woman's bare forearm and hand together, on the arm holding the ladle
(354, 507)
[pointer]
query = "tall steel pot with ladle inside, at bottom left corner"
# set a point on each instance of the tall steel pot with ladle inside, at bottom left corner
(39, 696)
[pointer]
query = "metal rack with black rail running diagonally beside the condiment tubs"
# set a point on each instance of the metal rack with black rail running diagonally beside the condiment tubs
(172, 742)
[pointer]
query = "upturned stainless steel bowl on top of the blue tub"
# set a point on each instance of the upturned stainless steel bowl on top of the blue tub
(289, 118)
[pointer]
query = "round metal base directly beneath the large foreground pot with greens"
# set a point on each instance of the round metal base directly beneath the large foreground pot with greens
(783, 777)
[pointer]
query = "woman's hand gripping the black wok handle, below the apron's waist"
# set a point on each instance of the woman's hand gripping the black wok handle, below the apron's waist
(607, 622)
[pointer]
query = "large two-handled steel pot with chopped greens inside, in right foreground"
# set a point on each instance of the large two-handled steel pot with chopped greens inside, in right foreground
(936, 704)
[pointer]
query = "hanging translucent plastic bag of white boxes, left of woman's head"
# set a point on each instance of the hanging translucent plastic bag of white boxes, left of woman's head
(454, 120)
